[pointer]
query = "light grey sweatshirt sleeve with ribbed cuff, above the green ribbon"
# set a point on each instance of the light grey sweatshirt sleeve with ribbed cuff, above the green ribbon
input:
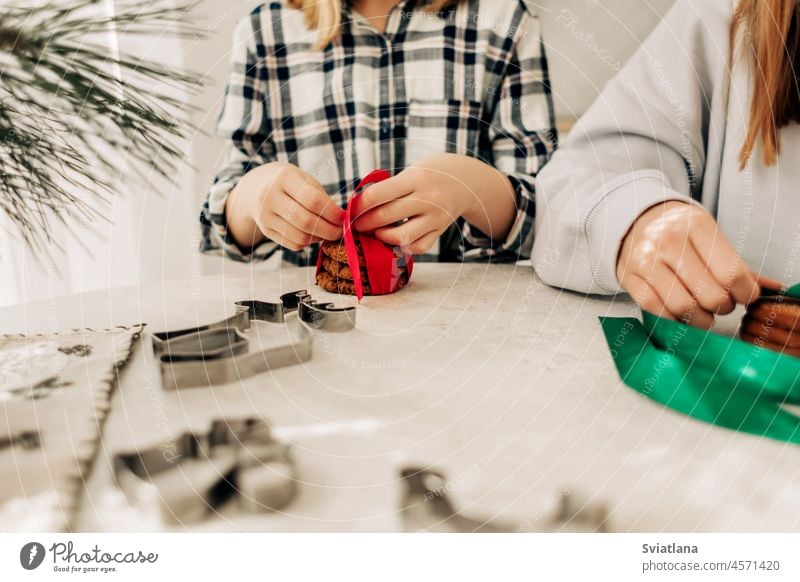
(646, 140)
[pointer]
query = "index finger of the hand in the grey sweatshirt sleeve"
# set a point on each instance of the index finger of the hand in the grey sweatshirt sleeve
(727, 267)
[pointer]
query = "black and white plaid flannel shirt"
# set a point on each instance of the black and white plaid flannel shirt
(471, 80)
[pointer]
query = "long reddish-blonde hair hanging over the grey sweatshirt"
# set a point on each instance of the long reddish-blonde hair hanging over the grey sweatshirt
(770, 36)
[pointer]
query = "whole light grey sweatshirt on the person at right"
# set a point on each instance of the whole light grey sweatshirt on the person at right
(670, 126)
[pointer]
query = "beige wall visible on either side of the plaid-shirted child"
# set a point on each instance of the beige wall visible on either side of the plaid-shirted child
(587, 41)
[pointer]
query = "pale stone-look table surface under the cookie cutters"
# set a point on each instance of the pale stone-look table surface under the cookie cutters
(482, 372)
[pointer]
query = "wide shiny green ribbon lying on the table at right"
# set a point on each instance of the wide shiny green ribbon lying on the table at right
(712, 378)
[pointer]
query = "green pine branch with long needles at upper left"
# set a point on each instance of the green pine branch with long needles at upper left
(69, 111)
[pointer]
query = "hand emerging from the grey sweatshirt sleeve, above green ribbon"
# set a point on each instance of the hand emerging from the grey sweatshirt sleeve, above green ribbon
(676, 263)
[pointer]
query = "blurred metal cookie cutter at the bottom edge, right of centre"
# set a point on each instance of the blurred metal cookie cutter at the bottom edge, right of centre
(427, 506)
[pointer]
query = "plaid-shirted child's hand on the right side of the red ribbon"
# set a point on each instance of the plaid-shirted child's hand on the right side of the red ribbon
(411, 210)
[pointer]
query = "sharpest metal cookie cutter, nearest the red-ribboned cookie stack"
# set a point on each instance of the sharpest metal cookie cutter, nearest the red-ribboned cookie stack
(220, 353)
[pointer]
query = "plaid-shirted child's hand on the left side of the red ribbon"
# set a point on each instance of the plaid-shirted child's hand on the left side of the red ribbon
(281, 202)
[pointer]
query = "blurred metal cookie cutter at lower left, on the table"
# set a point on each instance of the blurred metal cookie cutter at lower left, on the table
(196, 474)
